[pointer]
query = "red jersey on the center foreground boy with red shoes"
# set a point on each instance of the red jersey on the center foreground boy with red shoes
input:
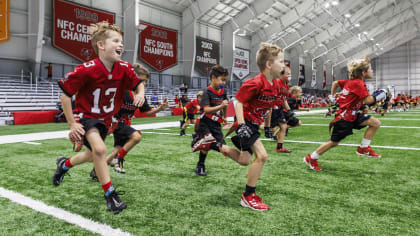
(258, 97)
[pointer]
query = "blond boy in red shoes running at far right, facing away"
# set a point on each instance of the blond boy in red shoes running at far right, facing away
(354, 94)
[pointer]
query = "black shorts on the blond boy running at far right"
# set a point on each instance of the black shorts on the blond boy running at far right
(344, 128)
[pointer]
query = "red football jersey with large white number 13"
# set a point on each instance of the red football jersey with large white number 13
(99, 94)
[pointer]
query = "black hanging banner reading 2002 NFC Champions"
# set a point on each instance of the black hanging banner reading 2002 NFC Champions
(207, 55)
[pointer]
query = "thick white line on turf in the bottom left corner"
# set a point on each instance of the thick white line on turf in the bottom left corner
(61, 214)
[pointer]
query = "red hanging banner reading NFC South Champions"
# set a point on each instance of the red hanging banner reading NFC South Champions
(158, 46)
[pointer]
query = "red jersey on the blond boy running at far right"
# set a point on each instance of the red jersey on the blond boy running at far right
(351, 98)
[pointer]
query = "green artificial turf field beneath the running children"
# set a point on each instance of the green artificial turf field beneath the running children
(352, 195)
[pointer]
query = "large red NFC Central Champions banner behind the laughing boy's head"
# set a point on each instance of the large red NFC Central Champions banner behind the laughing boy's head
(70, 28)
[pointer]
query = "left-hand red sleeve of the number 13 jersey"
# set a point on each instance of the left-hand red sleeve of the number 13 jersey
(73, 81)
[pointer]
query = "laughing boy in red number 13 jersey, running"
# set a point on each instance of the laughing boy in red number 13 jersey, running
(99, 86)
